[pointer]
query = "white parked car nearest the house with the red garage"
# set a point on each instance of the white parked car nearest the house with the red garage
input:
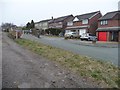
(88, 37)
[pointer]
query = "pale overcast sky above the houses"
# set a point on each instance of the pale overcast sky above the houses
(19, 12)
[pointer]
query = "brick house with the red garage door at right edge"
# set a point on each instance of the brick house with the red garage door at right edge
(109, 27)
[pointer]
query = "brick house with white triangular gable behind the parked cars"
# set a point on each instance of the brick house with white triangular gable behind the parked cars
(85, 23)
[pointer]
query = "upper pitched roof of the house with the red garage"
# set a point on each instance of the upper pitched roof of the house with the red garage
(110, 15)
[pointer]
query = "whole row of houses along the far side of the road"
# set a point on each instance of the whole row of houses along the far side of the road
(106, 27)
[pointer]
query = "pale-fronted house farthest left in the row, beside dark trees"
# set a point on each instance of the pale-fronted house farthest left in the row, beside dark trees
(42, 25)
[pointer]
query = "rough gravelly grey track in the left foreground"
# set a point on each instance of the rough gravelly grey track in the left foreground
(22, 68)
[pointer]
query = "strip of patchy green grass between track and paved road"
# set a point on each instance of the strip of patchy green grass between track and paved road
(99, 71)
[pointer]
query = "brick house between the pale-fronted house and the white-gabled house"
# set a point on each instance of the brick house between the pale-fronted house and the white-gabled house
(60, 22)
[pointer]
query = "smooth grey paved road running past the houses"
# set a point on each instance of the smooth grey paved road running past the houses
(101, 53)
